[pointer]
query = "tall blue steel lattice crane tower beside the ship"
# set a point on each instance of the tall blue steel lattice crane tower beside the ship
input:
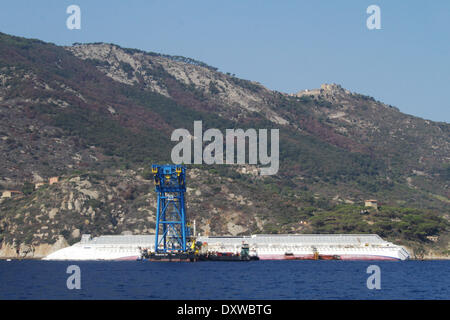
(171, 228)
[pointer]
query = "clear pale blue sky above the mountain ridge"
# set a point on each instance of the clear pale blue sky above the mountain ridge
(285, 45)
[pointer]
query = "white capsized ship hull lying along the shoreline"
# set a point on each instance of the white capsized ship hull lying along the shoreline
(265, 247)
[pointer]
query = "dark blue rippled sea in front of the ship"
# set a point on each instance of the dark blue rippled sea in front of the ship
(225, 280)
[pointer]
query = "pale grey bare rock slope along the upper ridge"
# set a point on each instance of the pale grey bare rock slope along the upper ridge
(134, 67)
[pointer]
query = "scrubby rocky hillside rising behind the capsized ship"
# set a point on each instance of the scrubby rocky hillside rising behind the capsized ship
(98, 115)
